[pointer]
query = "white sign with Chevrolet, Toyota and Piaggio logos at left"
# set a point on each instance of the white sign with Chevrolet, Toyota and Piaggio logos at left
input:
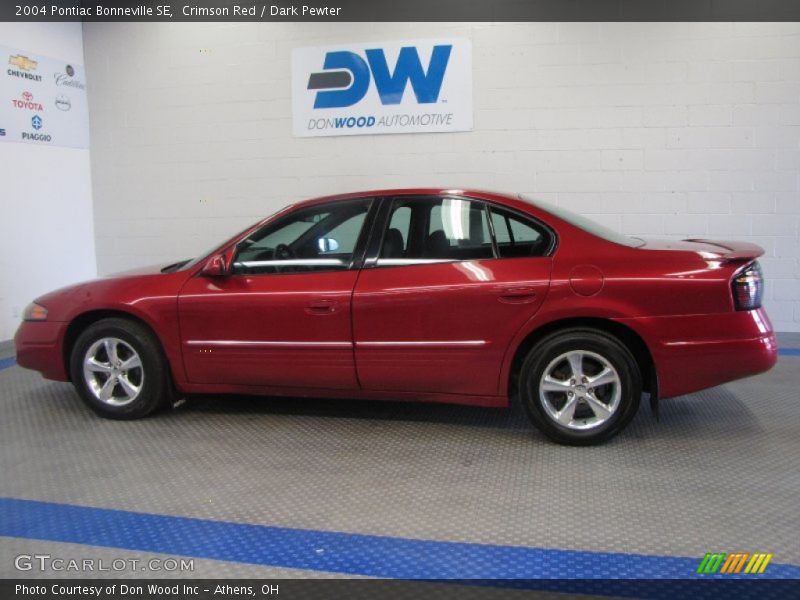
(42, 100)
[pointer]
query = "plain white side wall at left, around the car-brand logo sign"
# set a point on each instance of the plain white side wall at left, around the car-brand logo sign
(47, 229)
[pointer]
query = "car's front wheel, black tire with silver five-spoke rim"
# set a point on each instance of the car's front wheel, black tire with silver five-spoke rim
(153, 378)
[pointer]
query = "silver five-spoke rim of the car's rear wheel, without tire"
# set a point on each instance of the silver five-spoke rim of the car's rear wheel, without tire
(580, 390)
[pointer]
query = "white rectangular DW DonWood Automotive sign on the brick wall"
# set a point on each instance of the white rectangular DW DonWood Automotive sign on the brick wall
(418, 86)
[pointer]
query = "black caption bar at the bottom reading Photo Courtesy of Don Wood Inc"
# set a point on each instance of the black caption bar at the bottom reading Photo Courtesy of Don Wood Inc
(356, 589)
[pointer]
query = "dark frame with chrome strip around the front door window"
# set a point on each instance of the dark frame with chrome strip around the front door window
(356, 261)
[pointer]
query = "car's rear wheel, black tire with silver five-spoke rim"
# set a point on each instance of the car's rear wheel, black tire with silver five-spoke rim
(541, 404)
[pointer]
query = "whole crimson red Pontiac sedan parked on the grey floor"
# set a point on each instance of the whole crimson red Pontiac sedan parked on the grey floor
(424, 294)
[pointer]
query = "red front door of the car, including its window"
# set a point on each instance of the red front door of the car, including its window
(281, 318)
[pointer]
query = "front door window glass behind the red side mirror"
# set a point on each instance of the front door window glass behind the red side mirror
(318, 238)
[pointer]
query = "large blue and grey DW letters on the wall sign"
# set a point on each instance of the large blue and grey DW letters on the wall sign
(346, 76)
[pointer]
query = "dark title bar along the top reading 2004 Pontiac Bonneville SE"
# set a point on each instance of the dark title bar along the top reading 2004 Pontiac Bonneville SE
(400, 10)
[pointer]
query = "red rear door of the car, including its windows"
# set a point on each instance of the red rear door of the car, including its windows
(438, 303)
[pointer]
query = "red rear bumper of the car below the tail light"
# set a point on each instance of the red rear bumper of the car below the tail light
(695, 352)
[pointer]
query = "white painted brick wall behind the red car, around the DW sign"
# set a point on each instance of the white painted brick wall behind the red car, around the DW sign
(661, 129)
